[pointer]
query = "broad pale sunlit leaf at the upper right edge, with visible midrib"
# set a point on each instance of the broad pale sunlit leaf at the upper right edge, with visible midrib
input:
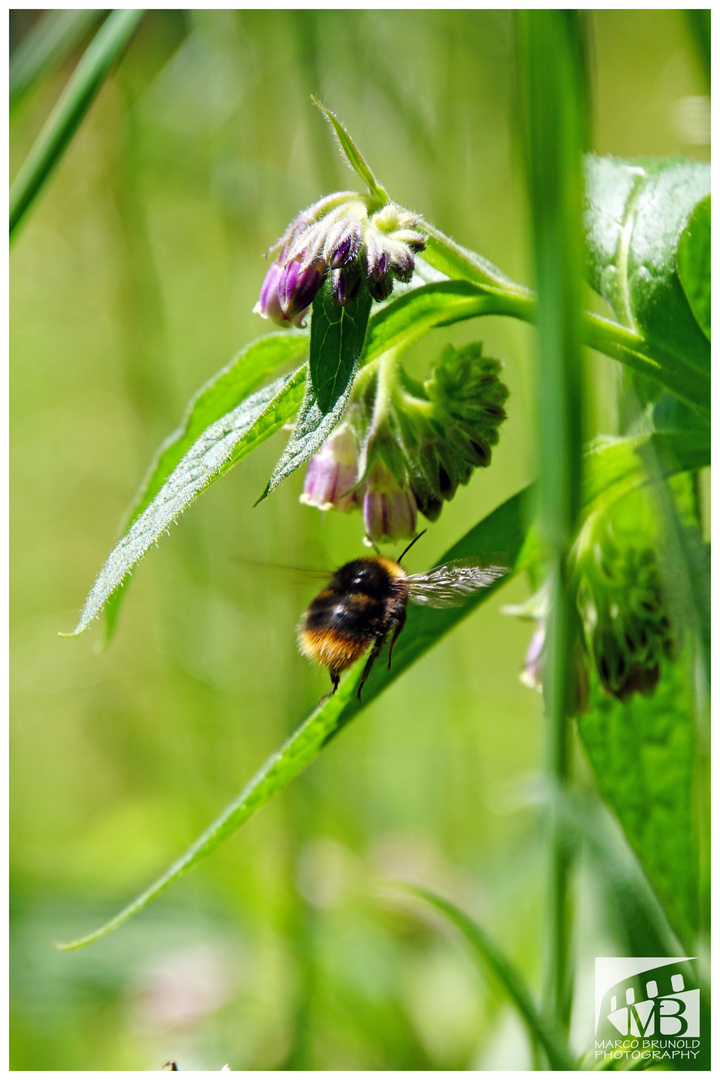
(635, 218)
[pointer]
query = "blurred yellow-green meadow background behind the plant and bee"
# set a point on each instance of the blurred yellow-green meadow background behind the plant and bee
(133, 281)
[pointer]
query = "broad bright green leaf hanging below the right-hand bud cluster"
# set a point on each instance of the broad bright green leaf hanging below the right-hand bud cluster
(643, 753)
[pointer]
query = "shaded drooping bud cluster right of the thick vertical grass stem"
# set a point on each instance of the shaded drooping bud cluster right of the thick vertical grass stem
(623, 613)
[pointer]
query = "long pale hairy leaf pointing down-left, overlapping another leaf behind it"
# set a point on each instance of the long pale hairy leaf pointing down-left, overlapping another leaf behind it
(220, 448)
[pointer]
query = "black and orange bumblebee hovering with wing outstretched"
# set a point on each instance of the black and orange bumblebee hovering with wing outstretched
(365, 604)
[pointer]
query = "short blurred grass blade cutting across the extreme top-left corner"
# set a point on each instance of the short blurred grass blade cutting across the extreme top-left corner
(50, 40)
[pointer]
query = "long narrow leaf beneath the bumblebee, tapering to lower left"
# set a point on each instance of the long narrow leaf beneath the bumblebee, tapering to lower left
(502, 531)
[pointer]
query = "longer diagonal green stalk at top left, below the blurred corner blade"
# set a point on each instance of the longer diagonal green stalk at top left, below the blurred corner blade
(72, 107)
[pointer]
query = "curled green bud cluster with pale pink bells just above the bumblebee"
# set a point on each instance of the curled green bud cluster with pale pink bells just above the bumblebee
(405, 448)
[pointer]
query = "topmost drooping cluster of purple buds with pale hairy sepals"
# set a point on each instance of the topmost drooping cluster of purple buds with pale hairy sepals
(351, 237)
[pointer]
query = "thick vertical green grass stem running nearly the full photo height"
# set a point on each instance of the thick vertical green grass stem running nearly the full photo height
(552, 66)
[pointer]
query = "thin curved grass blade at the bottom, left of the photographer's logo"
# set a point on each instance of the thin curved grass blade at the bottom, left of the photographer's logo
(493, 958)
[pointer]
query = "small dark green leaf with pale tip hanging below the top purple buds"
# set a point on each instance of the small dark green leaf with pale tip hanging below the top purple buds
(337, 335)
